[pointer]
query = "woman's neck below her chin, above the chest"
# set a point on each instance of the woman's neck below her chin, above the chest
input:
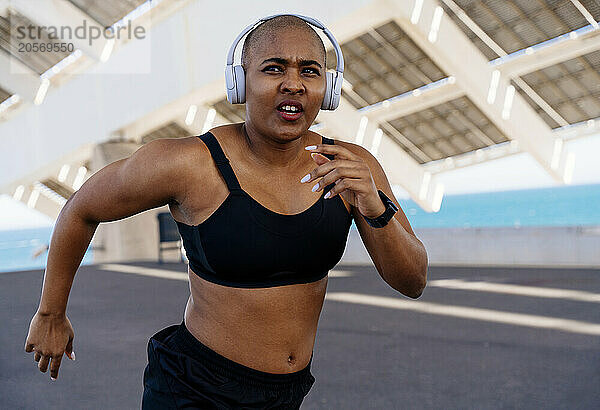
(275, 153)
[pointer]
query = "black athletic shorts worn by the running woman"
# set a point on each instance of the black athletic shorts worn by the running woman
(183, 373)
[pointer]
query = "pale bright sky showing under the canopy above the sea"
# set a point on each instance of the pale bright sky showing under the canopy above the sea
(518, 171)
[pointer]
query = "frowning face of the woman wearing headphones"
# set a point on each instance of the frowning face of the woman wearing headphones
(291, 67)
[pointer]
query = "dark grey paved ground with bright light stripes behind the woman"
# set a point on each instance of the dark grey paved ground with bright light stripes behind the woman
(387, 351)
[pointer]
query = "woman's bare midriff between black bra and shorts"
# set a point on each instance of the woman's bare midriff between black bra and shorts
(268, 329)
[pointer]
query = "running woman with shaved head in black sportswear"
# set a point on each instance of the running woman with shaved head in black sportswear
(259, 251)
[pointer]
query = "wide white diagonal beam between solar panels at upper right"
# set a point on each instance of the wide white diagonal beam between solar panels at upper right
(439, 37)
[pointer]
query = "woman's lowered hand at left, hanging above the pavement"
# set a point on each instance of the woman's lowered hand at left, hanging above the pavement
(50, 337)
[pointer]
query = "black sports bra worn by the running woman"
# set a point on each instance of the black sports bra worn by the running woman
(242, 244)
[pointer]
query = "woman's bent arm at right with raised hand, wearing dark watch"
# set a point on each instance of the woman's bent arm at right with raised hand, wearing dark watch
(400, 258)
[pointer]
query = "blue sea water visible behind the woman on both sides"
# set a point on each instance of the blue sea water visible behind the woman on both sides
(575, 205)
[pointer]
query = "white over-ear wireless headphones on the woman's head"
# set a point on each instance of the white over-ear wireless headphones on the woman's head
(235, 78)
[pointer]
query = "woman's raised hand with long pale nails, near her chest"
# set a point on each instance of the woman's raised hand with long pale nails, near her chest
(352, 178)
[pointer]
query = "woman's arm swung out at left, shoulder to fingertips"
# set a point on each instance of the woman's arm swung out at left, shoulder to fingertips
(152, 176)
